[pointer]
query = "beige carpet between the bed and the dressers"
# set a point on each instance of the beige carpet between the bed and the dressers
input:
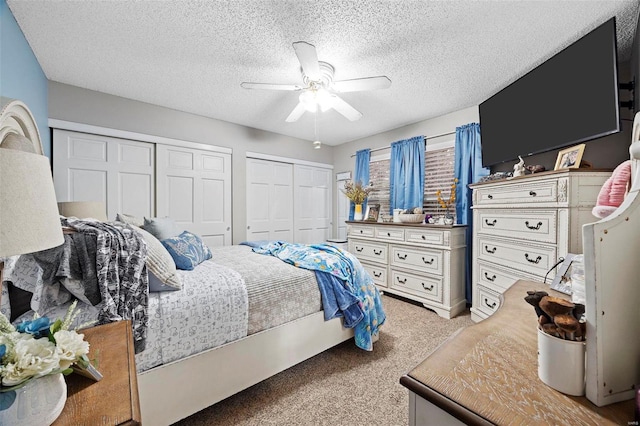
(344, 385)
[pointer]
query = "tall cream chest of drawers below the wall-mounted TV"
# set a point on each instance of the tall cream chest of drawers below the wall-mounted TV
(524, 225)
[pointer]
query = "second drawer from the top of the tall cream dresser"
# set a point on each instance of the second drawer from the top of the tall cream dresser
(534, 225)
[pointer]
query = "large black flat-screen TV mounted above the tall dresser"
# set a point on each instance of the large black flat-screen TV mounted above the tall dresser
(570, 98)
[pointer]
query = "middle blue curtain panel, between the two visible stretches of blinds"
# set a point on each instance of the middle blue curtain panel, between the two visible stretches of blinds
(406, 186)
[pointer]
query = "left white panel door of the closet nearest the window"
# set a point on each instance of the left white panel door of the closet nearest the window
(269, 200)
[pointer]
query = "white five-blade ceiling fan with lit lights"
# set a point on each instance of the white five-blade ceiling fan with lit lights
(318, 89)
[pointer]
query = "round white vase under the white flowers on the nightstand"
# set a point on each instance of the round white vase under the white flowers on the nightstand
(39, 402)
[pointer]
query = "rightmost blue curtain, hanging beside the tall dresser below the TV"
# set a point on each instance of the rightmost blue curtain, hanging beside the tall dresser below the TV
(468, 169)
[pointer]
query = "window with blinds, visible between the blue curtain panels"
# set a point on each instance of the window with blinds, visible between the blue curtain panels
(439, 169)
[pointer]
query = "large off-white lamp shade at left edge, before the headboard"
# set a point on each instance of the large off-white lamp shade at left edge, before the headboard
(29, 220)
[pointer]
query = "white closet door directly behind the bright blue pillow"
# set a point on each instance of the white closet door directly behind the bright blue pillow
(194, 189)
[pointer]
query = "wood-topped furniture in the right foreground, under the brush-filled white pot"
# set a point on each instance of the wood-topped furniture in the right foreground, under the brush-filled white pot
(488, 374)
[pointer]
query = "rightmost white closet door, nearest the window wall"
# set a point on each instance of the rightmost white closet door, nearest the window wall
(312, 186)
